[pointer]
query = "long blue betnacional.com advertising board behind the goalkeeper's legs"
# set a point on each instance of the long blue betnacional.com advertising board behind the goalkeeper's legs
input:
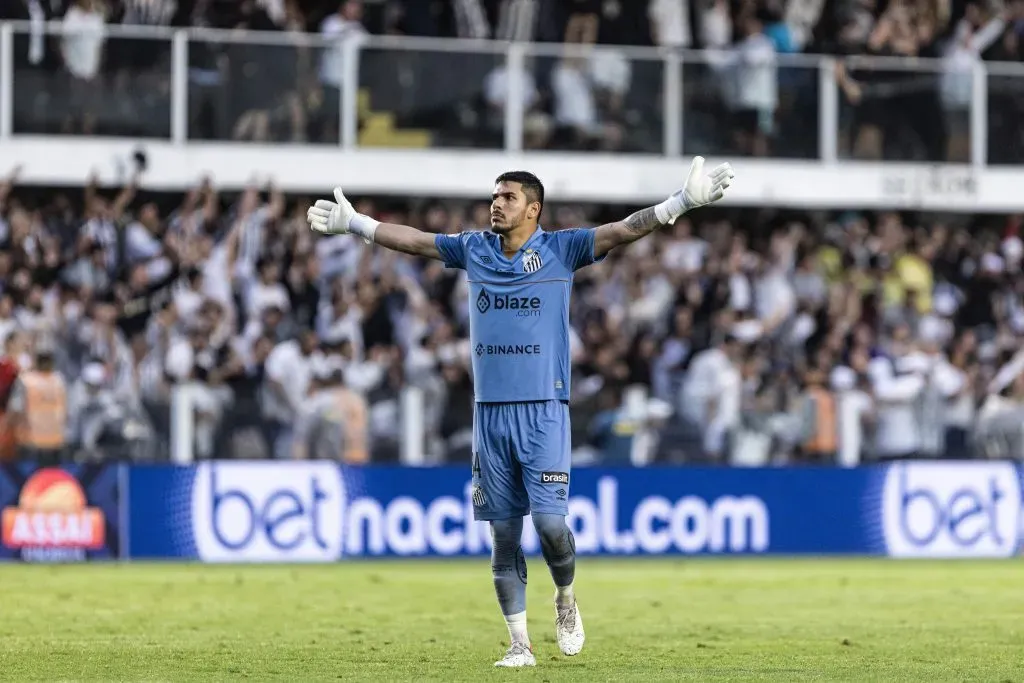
(295, 513)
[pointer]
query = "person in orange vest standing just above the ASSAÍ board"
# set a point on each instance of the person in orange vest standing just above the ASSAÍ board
(38, 411)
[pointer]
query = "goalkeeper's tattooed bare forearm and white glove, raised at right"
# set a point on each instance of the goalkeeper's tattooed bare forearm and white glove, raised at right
(700, 190)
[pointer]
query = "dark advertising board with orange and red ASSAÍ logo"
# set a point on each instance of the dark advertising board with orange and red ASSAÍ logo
(61, 515)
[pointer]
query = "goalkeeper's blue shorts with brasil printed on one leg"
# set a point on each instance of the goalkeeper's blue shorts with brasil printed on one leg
(521, 459)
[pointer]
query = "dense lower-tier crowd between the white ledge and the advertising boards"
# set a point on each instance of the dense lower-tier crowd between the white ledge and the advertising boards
(755, 336)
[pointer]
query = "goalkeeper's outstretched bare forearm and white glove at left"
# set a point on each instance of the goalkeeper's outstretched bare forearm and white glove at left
(339, 218)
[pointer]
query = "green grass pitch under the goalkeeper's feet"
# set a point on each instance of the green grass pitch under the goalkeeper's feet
(736, 620)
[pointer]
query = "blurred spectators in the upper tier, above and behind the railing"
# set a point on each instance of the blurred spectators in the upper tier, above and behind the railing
(748, 96)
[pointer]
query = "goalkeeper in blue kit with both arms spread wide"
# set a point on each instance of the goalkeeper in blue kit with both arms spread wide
(521, 278)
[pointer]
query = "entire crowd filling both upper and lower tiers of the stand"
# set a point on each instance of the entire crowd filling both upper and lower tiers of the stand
(740, 337)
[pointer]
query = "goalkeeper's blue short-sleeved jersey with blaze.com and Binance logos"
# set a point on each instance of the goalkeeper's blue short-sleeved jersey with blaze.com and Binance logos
(520, 311)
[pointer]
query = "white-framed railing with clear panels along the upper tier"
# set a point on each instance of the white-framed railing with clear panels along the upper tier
(193, 86)
